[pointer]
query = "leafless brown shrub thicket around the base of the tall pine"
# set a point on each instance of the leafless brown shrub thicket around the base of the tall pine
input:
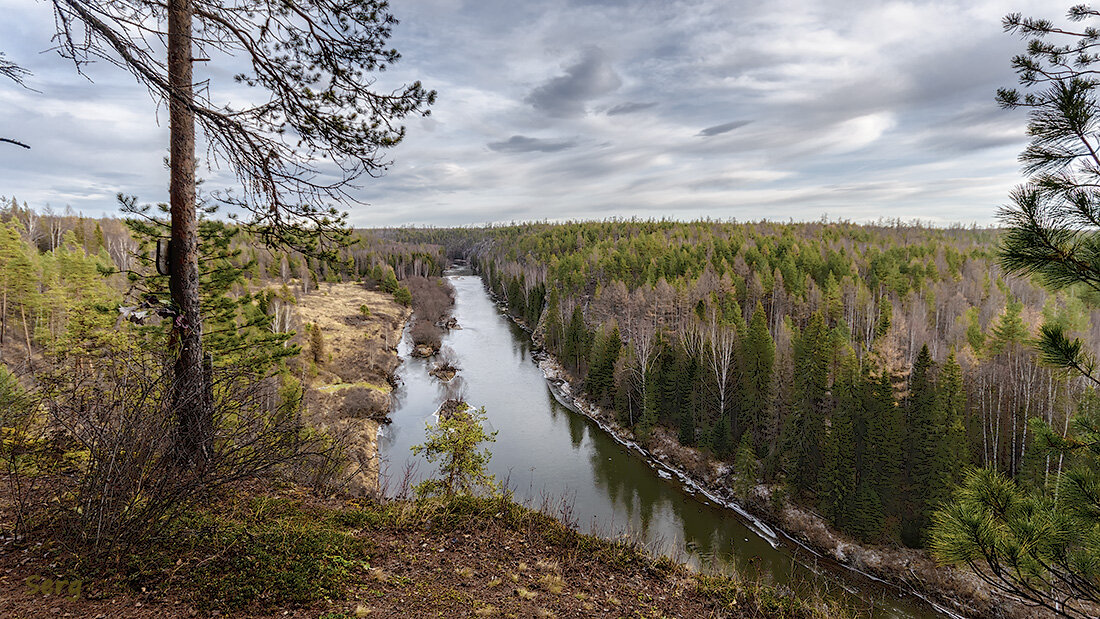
(113, 463)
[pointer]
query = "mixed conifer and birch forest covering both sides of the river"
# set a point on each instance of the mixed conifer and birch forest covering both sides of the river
(910, 346)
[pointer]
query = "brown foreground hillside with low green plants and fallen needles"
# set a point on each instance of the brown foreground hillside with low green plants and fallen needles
(285, 554)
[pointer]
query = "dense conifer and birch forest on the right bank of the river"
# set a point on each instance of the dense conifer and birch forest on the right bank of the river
(864, 368)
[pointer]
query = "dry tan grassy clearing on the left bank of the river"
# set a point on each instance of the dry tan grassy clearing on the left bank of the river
(350, 394)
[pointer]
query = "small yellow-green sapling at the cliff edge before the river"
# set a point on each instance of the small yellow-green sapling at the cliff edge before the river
(456, 445)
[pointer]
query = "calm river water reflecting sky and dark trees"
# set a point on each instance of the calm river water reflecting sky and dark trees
(554, 457)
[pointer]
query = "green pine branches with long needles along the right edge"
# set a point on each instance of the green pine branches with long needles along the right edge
(1041, 546)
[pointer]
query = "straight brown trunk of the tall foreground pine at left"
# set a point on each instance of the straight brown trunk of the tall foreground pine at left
(190, 389)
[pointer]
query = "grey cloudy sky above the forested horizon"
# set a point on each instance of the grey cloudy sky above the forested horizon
(566, 109)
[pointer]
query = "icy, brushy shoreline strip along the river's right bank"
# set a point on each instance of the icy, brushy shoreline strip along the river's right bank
(948, 591)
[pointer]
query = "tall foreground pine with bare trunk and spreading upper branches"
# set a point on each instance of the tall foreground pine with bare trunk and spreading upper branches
(309, 93)
